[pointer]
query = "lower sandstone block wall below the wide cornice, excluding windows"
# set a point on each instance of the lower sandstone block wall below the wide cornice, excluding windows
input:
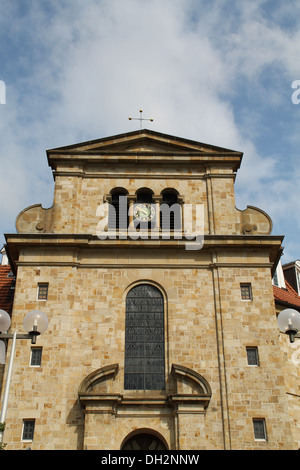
(207, 329)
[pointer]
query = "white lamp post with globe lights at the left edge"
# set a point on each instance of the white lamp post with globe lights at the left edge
(35, 323)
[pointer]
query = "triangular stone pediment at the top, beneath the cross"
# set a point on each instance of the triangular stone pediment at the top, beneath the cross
(144, 141)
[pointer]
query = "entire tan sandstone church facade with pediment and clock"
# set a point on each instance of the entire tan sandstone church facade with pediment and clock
(158, 290)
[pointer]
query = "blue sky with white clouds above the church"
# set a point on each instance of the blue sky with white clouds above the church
(215, 71)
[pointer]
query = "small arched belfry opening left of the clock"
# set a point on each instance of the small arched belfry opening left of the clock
(118, 209)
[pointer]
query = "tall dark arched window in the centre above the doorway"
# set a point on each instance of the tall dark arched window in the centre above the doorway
(144, 339)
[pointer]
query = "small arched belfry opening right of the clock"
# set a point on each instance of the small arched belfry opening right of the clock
(170, 218)
